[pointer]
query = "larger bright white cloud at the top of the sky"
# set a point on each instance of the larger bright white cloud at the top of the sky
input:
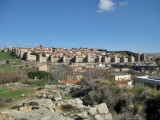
(106, 5)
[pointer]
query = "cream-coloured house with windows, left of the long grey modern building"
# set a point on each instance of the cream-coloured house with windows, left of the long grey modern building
(121, 77)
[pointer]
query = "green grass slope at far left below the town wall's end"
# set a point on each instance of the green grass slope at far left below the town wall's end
(6, 56)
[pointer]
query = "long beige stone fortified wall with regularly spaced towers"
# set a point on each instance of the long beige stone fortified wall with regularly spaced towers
(26, 55)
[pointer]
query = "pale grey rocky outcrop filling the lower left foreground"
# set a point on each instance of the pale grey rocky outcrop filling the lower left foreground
(51, 104)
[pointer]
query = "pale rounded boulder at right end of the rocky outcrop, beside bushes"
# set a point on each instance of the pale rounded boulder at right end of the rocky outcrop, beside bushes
(102, 108)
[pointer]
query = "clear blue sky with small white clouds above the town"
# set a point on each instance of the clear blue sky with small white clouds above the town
(132, 25)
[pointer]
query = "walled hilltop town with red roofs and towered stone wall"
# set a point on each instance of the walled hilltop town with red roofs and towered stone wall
(82, 55)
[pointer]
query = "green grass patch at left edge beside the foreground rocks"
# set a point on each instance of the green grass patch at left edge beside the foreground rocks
(14, 94)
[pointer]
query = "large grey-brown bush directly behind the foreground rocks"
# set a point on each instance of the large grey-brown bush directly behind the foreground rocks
(93, 93)
